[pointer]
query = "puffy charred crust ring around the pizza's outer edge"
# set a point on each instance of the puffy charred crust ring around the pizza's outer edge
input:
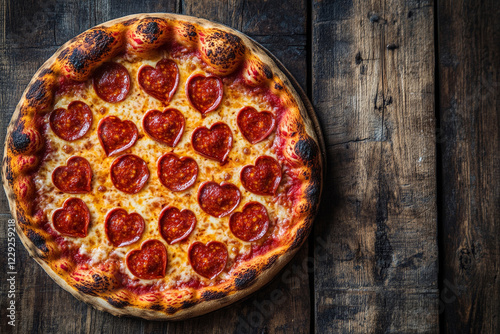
(224, 50)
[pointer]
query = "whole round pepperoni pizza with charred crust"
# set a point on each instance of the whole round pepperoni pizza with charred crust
(161, 166)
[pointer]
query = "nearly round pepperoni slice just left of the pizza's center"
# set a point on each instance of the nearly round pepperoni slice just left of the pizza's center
(129, 173)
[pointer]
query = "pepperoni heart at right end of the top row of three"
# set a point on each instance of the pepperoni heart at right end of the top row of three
(204, 93)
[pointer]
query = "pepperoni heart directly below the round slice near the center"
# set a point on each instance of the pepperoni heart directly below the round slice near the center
(123, 229)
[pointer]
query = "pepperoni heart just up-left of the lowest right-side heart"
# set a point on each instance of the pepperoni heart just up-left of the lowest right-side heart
(218, 200)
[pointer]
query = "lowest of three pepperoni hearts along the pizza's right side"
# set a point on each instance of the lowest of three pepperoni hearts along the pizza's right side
(251, 224)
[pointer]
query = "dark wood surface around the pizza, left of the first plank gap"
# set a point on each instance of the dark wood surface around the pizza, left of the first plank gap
(32, 32)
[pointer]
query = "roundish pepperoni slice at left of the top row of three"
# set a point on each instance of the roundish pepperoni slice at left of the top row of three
(112, 82)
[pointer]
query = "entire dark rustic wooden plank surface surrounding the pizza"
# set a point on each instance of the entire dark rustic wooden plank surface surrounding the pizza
(407, 94)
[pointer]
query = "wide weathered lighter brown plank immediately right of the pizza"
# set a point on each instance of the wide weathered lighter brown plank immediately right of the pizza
(373, 88)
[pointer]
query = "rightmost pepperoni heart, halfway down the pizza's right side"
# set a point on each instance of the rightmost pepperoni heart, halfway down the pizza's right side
(263, 178)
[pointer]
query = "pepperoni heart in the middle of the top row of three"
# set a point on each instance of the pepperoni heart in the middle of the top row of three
(160, 82)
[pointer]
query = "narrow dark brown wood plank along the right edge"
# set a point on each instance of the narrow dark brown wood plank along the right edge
(469, 105)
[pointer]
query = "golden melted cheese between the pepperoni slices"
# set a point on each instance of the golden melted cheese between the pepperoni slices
(154, 196)
